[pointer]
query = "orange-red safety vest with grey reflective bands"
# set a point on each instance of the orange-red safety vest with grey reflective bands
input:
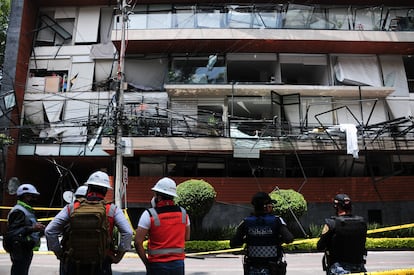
(167, 234)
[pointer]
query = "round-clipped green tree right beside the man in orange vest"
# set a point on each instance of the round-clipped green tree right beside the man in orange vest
(197, 197)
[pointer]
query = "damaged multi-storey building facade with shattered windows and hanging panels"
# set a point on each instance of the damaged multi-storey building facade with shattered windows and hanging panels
(311, 96)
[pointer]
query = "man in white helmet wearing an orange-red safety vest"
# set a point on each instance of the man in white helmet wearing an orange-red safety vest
(167, 227)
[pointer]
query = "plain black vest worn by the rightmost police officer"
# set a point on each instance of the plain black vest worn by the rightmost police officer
(348, 240)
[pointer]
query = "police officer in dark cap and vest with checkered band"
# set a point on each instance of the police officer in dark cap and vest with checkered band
(263, 234)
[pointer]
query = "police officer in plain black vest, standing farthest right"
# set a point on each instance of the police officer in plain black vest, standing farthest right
(343, 239)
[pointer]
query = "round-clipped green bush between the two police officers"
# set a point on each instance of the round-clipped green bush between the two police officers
(288, 201)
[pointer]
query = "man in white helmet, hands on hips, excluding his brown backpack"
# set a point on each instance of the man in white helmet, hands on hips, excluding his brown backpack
(98, 185)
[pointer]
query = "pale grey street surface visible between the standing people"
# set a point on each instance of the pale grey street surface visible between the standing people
(44, 263)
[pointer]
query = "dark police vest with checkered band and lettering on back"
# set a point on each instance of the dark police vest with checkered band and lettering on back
(263, 239)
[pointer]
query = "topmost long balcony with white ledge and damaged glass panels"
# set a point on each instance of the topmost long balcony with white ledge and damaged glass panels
(262, 28)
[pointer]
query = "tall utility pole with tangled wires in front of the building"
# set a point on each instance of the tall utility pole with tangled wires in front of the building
(120, 108)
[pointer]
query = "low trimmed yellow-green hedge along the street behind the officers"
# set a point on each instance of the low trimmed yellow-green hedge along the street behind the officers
(307, 245)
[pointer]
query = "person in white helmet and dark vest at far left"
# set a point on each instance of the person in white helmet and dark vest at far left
(23, 230)
